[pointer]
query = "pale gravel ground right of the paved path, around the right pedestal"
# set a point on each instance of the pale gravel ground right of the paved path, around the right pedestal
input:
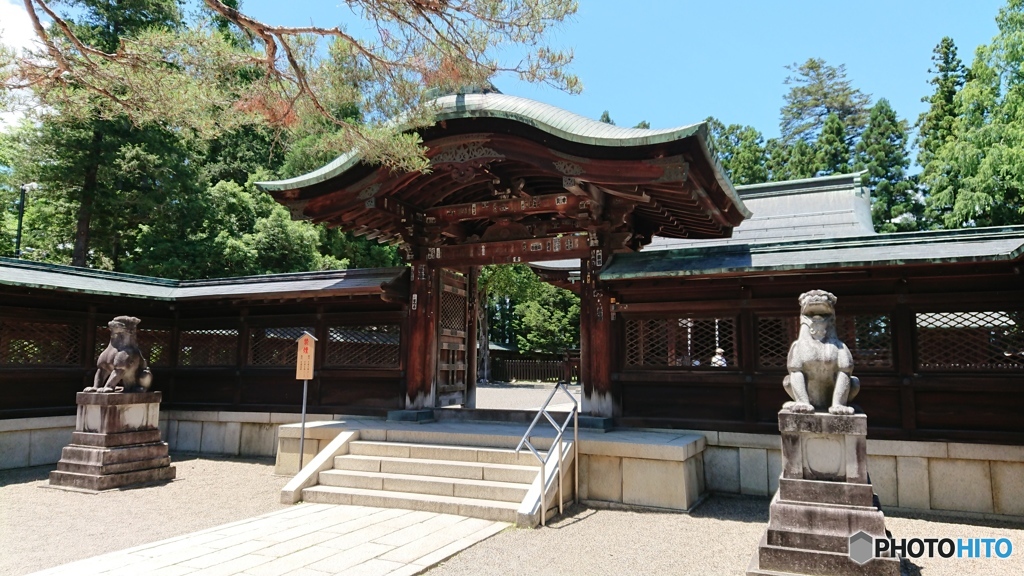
(718, 539)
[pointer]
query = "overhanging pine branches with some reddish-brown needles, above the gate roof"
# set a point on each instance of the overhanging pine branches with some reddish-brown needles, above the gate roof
(153, 69)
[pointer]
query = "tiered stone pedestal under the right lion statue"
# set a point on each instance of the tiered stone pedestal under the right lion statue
(825, 498)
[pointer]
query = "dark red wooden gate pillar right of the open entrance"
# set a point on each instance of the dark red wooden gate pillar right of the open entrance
(596, 342)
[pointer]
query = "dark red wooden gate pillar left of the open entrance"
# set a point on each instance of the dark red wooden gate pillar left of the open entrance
(422, 349)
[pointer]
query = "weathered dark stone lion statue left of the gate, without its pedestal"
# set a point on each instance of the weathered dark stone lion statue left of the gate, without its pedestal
(121, 366)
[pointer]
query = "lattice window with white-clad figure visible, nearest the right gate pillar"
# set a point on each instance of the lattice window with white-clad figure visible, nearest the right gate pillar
(688, 343)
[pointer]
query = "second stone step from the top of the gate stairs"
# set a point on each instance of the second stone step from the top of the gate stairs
(443, 469)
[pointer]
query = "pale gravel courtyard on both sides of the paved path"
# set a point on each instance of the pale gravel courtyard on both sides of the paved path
(42, 528)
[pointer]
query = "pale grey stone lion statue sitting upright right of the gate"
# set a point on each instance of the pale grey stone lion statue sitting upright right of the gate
(821, 366)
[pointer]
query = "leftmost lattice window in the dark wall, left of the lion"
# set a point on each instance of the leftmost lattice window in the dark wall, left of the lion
(39, 344)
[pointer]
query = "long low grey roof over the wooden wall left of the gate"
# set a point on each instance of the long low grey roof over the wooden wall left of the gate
(28, 274)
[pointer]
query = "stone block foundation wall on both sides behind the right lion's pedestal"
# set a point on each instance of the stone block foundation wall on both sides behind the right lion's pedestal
(922, 476)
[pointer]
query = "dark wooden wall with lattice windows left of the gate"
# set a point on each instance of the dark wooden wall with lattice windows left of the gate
(233, 356)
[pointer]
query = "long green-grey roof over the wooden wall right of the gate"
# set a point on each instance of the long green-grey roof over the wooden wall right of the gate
(993, 244)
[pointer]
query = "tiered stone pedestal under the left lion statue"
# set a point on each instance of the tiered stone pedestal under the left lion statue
(116, 443)
